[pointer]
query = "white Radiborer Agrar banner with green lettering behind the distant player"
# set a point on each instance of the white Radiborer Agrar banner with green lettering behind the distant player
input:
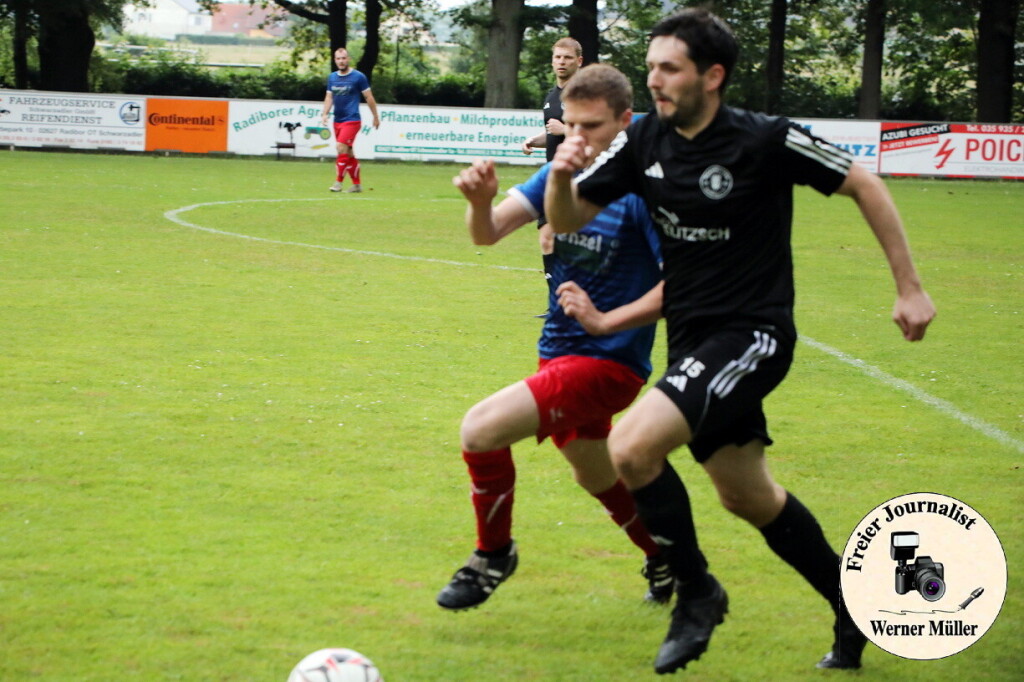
(413, 134)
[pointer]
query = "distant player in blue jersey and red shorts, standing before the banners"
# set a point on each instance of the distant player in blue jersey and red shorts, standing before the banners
(345, 88)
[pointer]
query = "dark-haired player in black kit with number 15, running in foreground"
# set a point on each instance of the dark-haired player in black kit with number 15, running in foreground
(719, 184)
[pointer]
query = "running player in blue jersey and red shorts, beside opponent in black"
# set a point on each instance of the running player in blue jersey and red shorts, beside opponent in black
(583, 380)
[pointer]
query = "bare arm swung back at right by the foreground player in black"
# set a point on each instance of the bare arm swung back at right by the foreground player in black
(914, 310)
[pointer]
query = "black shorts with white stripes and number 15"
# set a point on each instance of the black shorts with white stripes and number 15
(720, 385)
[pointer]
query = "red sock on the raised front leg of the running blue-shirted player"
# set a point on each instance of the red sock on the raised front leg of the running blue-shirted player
(493, 478)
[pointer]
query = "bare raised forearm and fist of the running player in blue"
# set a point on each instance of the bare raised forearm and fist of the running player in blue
(488, 225)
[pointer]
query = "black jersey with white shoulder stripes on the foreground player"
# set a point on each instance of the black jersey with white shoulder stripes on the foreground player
(723, 206)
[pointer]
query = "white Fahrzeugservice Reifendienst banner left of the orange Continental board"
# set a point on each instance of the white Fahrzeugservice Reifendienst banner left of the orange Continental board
(30, 118)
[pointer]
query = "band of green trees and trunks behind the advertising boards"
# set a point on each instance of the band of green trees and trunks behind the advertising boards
(942, 60)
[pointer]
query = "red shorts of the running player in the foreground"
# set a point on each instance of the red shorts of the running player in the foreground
(577, 397)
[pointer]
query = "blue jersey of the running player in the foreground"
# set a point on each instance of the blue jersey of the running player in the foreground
(617, 260)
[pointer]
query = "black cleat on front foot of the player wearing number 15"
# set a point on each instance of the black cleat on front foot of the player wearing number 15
(693, 623)
